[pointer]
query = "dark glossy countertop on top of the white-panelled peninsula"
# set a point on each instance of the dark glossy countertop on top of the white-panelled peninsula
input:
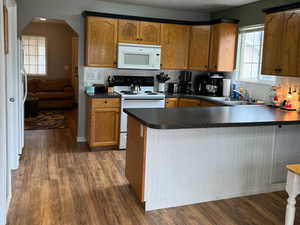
(219, 116)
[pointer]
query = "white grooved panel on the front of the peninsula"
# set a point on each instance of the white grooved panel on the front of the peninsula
(186, 166)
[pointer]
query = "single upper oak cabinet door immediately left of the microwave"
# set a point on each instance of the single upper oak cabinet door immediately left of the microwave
(101, 42)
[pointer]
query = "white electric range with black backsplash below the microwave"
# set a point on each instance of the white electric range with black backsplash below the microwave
(145, 98)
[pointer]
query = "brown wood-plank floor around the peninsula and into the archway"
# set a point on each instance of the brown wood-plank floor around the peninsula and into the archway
(60, 182)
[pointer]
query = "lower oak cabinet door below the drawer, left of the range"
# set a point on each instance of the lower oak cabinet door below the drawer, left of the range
(105, 127)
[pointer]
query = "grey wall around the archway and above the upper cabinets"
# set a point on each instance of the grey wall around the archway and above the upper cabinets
(71, 10)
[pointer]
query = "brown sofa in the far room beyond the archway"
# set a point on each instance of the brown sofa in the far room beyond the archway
(52, 93)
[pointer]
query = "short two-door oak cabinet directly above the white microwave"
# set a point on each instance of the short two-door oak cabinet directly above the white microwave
(140, 32)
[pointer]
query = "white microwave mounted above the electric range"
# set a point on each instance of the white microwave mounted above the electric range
(137, 56)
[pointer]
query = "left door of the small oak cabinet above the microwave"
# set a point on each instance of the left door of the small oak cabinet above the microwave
(129, 31)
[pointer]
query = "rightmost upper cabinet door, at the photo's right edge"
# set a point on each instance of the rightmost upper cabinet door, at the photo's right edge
(290, 53)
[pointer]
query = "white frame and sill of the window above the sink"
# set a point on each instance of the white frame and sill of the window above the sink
(260, 77)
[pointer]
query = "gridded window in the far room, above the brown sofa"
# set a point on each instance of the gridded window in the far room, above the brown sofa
(35, 55)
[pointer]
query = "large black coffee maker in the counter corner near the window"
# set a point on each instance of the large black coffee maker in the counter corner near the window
(209, 85)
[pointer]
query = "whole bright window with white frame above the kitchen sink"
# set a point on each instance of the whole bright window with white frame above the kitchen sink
(250, 55)
